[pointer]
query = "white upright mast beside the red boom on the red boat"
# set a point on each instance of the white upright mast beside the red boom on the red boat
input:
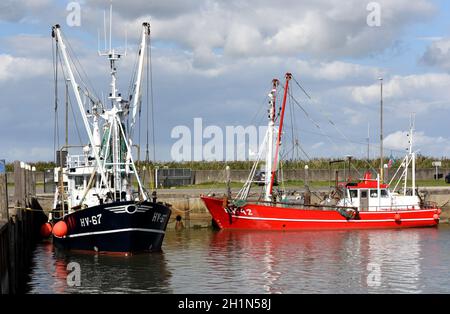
(271, 131)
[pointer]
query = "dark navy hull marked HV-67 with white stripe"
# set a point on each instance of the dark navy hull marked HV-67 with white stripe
(122, 227)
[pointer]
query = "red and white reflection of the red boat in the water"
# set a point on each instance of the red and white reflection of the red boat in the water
(322, 261)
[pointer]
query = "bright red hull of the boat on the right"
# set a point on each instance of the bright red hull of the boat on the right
(269, 217)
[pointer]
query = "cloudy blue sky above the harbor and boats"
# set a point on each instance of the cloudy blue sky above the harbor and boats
(215, 60)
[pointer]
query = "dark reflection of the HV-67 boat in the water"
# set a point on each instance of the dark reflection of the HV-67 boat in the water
(142, 273)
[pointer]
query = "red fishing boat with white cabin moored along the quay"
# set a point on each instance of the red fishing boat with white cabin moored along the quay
(367, 204)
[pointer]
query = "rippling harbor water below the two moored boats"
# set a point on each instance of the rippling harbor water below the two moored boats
(242, 262)
